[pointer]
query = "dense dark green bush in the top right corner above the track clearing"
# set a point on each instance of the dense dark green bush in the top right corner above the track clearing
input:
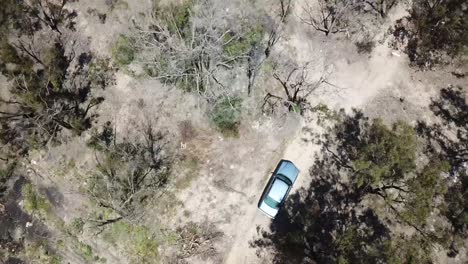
(433, 30)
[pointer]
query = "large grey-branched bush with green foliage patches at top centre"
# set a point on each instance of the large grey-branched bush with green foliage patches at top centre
(192, 45)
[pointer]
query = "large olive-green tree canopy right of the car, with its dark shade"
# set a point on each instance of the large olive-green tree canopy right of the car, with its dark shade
(367, 183)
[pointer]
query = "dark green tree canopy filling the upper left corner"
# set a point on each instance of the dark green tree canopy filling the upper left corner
(49, 85)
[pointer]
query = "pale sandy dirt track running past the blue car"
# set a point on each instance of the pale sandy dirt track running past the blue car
(360, 81)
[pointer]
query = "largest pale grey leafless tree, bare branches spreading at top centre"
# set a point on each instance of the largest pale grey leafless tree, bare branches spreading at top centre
(196, 56)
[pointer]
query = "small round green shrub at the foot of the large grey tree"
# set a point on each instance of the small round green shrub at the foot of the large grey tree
(226, 115)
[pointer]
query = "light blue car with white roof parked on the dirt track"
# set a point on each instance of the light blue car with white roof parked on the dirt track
(278, 188)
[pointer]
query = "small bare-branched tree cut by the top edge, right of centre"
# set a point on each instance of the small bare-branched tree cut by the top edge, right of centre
(328, 17)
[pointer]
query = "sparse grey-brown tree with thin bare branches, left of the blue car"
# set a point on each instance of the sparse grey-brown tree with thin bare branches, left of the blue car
(128, 172)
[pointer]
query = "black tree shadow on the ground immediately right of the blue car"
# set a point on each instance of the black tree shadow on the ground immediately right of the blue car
(324, 223)
